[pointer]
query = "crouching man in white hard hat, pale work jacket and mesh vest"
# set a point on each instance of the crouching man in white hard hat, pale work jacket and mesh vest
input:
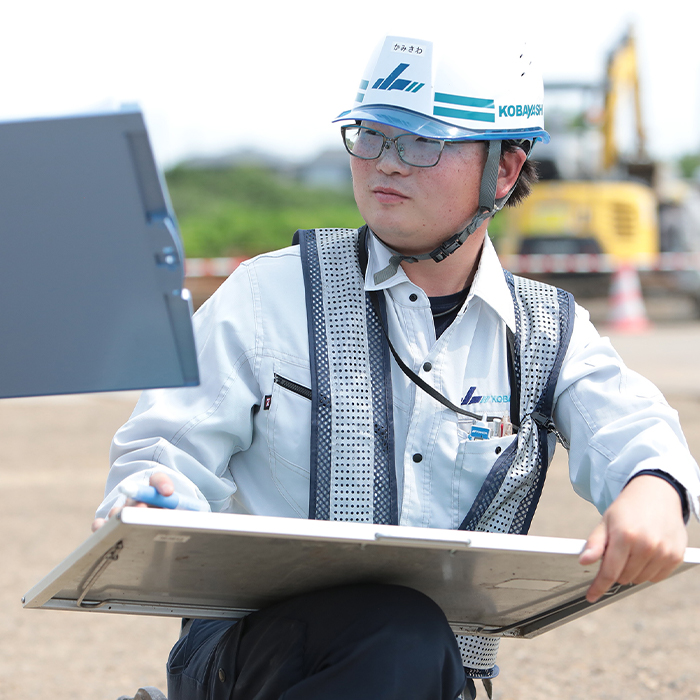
(396, 374)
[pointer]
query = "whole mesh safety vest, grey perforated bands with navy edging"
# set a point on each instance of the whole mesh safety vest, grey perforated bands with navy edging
(352, 455)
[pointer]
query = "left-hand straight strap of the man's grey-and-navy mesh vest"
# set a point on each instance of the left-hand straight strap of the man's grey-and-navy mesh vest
(352, 452)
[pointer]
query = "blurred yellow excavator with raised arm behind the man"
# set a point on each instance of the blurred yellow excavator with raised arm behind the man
(583, 207)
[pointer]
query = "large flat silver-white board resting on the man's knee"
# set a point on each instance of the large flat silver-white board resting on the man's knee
(214, 565)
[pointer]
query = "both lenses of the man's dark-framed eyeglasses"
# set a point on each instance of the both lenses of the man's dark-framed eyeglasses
(368, 144)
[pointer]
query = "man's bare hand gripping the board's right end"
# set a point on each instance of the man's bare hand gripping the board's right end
(642, 536)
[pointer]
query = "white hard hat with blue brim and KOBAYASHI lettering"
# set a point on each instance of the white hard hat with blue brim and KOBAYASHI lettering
(452, 90)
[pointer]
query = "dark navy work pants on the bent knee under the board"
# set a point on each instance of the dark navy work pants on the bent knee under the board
(362, 642)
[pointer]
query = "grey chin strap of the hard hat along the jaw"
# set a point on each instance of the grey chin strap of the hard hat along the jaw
(488, 206)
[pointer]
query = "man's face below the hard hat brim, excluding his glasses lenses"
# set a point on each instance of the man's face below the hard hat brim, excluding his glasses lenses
(412, 209)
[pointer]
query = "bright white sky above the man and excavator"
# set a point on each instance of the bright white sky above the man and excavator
(214, 76)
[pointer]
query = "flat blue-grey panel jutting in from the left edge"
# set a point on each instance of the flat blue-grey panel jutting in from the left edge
(91, 263)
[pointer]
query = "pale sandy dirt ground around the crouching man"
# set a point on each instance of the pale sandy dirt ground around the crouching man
(53, 463)
